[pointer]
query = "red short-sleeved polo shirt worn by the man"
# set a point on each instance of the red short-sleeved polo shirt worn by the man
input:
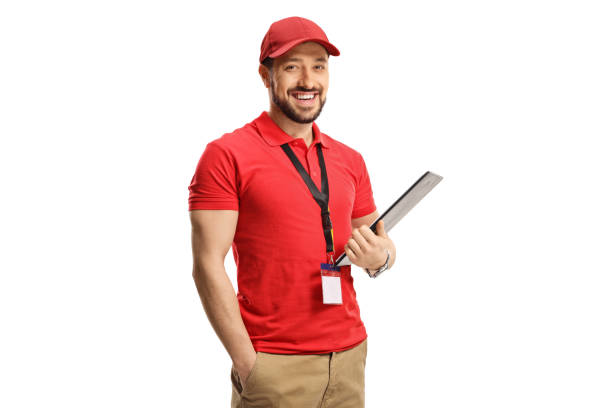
(279, 244)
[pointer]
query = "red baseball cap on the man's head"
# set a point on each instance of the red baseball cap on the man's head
(289, 32)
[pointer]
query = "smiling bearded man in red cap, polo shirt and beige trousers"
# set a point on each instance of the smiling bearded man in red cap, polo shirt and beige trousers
(293, 330)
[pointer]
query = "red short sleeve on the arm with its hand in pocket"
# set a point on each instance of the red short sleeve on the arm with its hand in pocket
(214, 185)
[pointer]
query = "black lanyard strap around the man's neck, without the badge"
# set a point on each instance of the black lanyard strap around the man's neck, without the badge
(321, 197)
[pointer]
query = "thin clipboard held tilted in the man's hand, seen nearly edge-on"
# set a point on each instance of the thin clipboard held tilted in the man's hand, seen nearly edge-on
(401, 207)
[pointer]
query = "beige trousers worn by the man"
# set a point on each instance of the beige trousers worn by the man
(332, 380)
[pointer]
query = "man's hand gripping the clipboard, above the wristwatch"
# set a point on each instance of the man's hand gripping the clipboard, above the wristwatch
(366, 249)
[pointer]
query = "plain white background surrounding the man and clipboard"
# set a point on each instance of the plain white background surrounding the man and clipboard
(501, 293)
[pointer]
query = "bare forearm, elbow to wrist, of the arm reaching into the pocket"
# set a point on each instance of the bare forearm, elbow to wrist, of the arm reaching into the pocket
(221, 306)
